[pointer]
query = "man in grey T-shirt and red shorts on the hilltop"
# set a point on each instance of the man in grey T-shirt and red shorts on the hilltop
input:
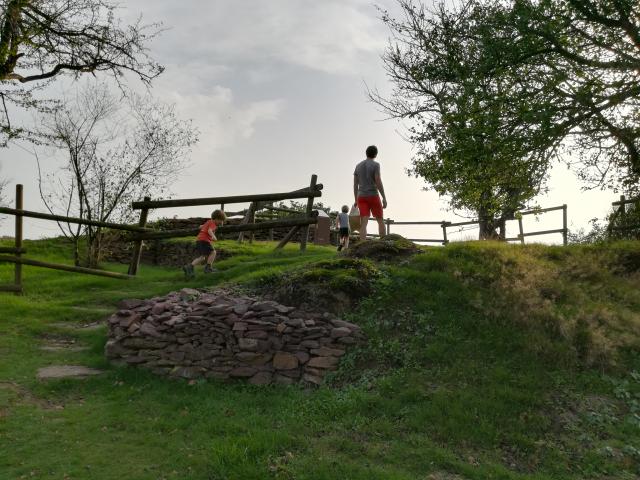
(366, 185)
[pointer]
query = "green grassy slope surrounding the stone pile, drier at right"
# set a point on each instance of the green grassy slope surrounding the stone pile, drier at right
(484, 361)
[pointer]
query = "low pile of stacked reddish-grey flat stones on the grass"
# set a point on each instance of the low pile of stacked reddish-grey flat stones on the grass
(194, 334)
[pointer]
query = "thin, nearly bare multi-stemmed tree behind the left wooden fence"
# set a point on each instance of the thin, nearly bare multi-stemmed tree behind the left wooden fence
(115, 152)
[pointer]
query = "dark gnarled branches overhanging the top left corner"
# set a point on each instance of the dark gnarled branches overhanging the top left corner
(43, 39)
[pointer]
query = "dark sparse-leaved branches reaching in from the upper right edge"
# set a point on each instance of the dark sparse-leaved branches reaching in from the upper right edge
(594, 46)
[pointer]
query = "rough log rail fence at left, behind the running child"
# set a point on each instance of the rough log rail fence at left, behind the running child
(139, 233)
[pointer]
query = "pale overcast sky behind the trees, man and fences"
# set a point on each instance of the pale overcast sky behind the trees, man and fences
(277, 90)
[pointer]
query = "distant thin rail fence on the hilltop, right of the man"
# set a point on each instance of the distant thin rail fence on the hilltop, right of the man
(520, 237)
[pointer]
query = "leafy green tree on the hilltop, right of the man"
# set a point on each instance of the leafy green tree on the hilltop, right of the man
(480, 137)
